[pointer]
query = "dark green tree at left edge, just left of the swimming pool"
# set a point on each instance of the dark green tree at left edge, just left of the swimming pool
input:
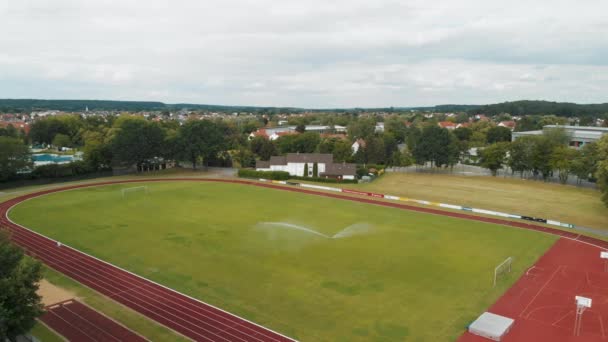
(14, 156)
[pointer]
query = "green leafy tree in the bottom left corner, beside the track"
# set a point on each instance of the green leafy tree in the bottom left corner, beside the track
(20, 305)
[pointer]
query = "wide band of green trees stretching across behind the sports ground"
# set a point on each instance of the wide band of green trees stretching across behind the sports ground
(132, 141)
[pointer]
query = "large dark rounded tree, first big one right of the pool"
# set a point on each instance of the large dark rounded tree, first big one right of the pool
(135, 141)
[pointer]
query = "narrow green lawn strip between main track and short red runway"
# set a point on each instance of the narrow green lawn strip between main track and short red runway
(112, 309)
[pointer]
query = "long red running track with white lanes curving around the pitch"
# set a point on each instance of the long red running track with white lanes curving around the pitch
(184, 314)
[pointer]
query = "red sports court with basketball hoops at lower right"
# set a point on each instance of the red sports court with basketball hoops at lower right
(542, 301)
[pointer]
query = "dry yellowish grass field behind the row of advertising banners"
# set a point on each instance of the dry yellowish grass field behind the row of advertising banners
(564, 203)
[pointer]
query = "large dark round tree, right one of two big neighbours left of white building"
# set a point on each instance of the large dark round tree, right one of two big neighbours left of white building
(201, 139)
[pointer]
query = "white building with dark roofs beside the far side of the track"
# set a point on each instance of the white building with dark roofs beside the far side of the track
(297, 163)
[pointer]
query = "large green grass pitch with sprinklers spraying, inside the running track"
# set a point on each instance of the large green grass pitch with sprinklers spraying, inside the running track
(406, 276)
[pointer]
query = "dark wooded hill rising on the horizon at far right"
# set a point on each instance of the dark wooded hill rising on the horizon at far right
(542, 108)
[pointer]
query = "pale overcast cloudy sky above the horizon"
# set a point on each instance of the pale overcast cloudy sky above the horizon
(313, 53)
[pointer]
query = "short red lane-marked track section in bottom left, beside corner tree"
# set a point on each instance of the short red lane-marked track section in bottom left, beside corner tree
(77, 322)
